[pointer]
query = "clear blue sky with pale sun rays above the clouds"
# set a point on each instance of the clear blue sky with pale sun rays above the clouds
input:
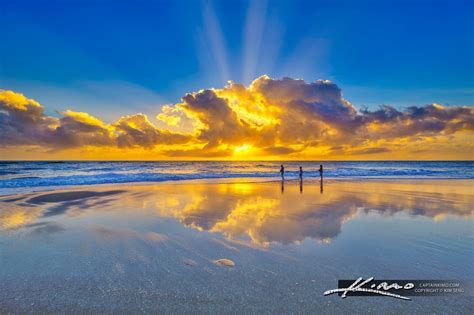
(111, 58)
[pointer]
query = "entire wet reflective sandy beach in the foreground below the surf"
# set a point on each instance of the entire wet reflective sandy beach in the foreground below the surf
(235, 247)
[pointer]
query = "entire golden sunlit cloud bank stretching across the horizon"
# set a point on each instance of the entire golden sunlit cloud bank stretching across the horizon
(269, 118)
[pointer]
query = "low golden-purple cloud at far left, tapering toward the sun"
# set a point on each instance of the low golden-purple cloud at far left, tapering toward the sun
(23, 122)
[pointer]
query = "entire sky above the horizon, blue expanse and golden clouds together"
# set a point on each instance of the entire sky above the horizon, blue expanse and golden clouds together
(150, 79)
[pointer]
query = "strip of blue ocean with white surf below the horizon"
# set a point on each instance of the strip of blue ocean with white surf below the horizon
(24, 176)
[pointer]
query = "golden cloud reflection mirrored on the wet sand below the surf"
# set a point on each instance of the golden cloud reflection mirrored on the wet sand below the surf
(256, 212)
